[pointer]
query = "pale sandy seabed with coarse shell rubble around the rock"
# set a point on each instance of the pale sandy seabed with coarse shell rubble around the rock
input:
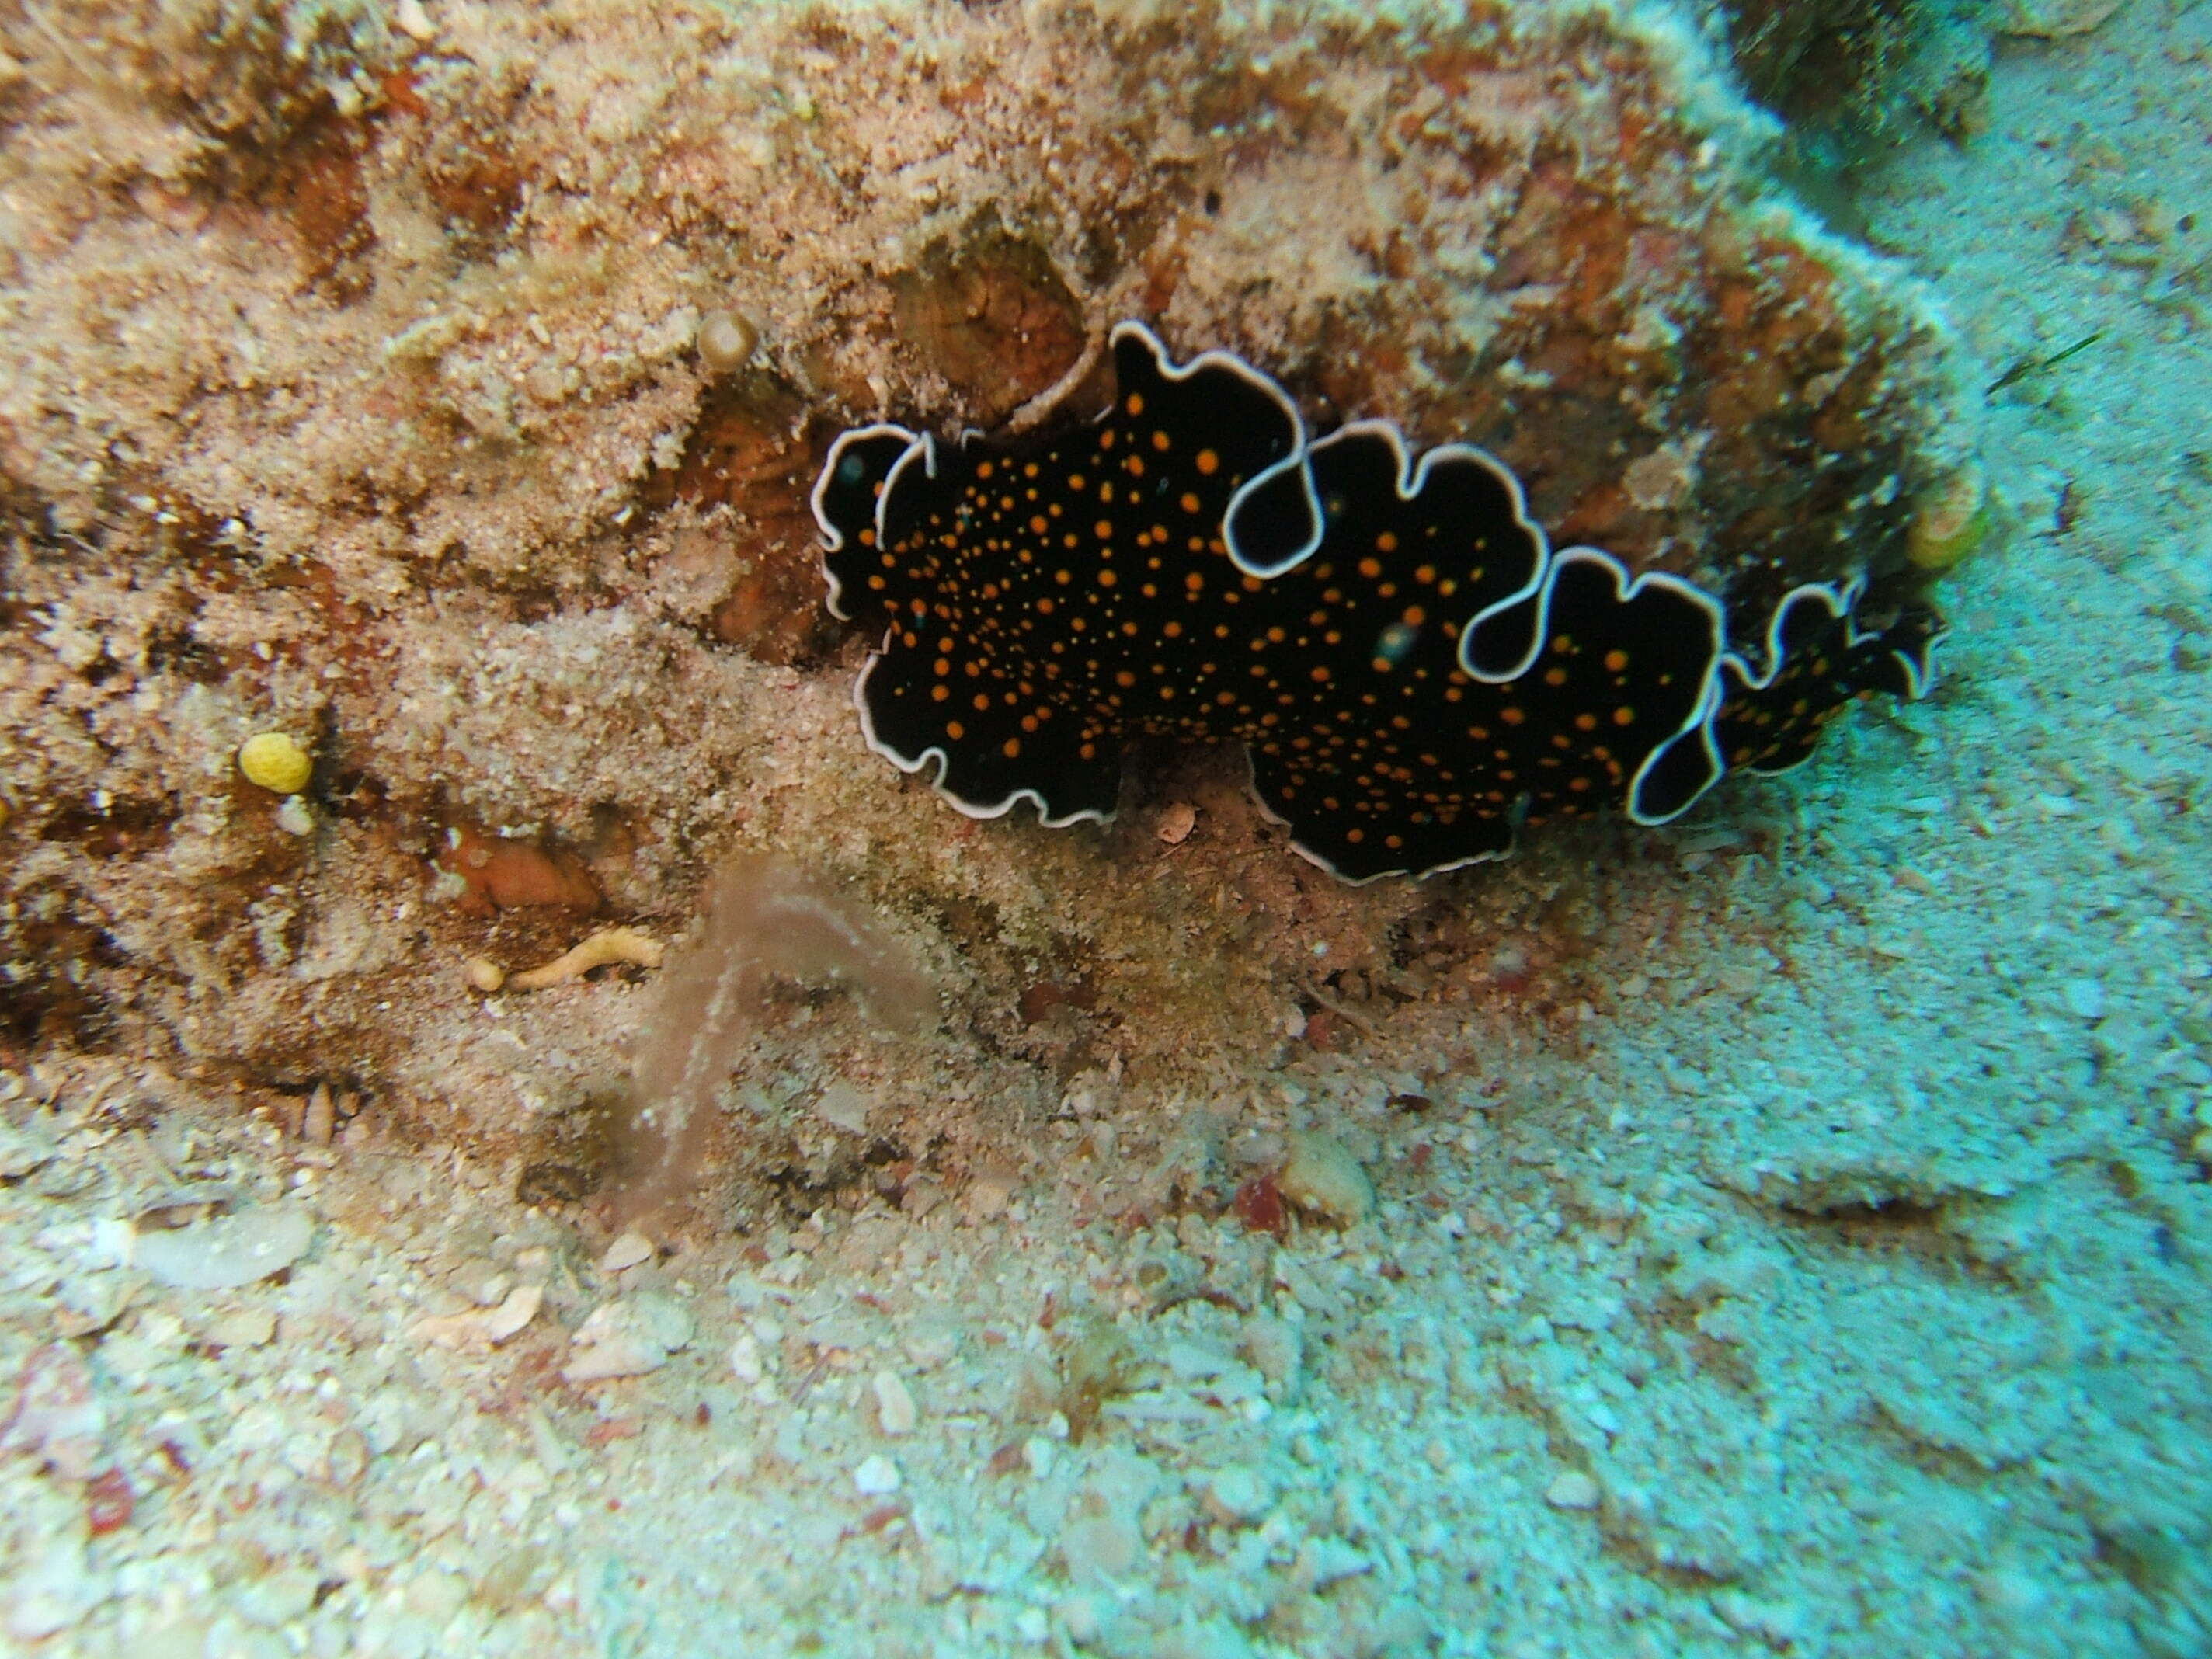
(1788, 1238)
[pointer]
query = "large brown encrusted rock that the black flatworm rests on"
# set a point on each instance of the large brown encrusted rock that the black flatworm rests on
(355, 393)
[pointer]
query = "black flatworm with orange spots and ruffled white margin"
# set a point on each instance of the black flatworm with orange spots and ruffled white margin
(1412, 669)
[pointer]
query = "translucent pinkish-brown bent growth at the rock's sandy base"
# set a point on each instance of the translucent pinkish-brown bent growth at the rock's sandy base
(764, 921)
